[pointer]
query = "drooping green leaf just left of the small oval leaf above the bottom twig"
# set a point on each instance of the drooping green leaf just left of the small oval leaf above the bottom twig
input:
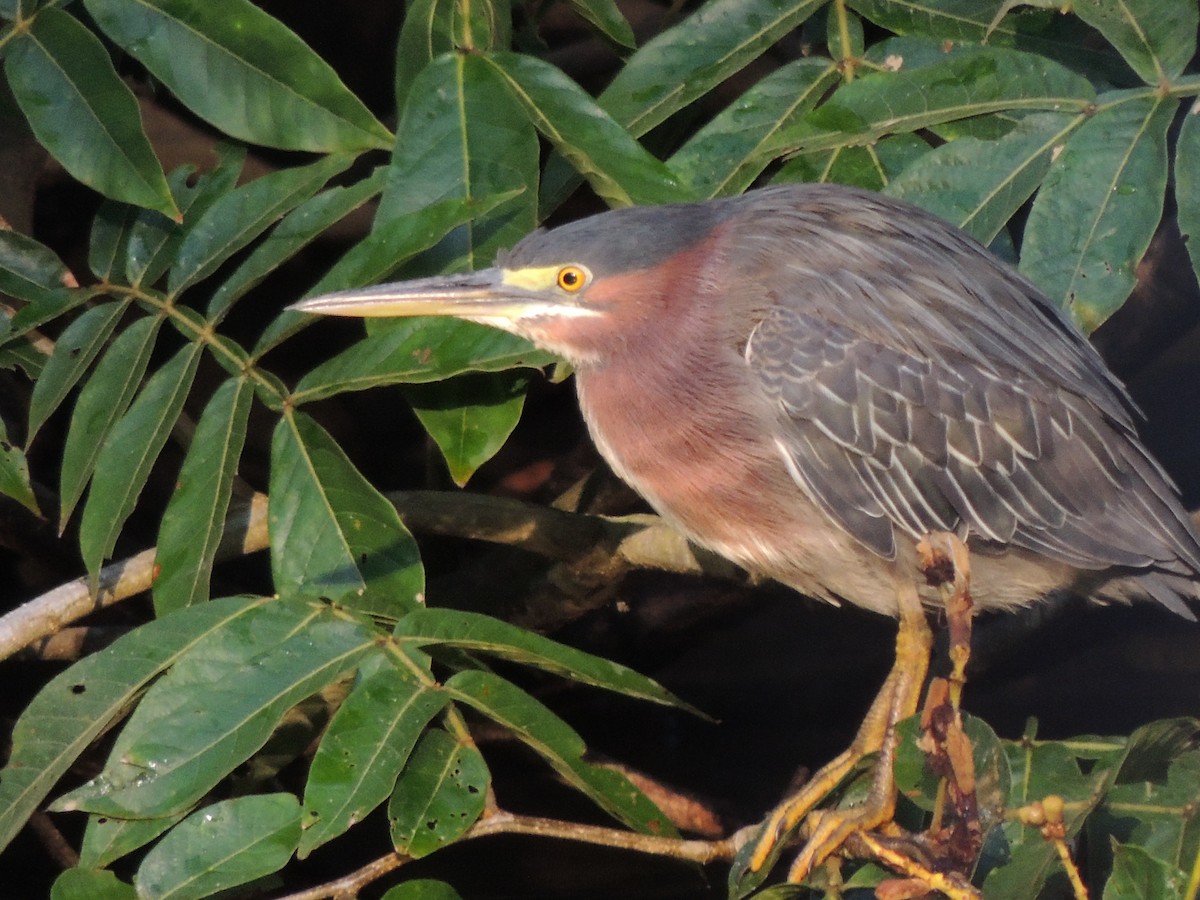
(368, 743)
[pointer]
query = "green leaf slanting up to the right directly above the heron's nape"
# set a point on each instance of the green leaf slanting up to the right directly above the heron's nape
(725, 157)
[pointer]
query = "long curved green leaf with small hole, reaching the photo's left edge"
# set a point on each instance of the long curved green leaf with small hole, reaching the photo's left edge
(77, 706)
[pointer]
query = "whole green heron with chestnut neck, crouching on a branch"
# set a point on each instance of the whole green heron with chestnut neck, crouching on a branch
(809, 380)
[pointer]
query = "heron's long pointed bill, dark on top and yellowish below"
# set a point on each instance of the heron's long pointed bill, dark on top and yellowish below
(489, 296)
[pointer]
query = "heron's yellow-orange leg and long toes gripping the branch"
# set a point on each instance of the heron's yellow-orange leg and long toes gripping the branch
(829, 830)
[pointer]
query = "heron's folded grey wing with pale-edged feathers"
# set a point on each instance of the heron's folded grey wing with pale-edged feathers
(884, 437)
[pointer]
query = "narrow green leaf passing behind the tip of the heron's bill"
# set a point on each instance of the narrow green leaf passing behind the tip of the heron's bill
(379, 255)
